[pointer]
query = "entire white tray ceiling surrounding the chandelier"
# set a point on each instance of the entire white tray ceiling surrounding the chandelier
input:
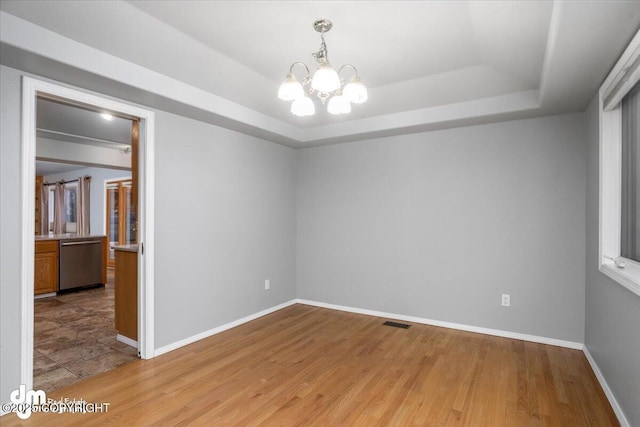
(429, 64)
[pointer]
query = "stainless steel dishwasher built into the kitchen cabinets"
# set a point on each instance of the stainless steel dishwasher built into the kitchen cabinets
(80, 262)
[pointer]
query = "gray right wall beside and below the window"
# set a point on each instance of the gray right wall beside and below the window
(612, 311)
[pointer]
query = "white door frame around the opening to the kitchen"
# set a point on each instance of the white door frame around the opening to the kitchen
(30, 89)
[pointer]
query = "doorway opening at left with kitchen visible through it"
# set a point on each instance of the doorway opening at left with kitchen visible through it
(75, 336)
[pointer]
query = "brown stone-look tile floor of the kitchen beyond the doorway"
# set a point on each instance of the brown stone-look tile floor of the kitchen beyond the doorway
(74, 337)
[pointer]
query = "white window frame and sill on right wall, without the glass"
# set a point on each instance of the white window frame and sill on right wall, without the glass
(623, 77)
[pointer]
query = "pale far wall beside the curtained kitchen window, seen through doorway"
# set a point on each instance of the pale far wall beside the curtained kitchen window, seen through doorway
(97, 204)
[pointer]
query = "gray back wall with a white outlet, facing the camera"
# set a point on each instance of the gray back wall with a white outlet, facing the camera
(438, 225)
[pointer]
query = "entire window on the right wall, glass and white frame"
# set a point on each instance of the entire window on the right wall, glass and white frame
(620, 170)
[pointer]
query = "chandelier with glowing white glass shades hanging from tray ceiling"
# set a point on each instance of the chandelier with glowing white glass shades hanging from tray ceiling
(325, 83)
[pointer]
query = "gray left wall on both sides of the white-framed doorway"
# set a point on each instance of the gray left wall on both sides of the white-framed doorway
(225, 222)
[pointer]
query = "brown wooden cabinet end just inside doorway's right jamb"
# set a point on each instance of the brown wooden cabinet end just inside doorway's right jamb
(126, 291)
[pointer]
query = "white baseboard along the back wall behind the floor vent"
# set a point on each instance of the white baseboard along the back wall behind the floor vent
(459, 326)
